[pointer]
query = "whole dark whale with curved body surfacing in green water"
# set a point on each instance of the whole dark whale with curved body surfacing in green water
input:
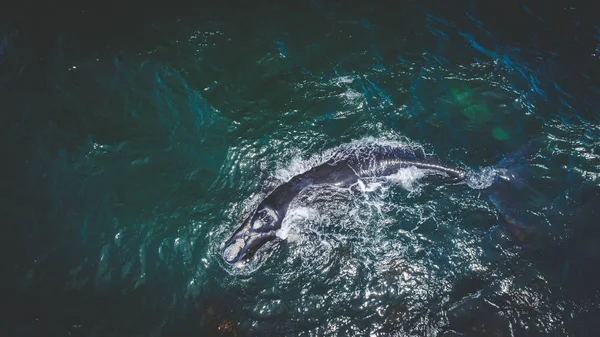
(343, 169)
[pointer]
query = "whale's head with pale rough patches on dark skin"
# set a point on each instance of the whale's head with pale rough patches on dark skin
(255, 232)
